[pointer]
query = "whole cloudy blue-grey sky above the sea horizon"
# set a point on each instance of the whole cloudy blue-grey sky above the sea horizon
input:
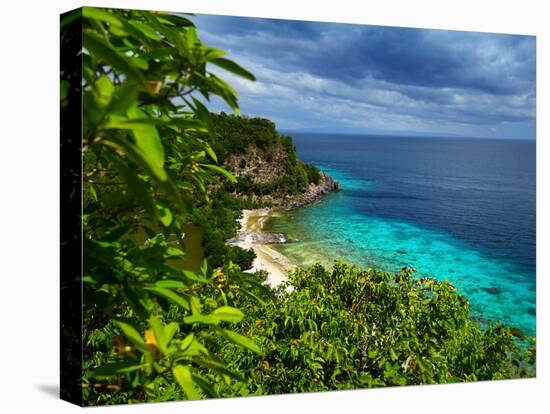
(330, 77)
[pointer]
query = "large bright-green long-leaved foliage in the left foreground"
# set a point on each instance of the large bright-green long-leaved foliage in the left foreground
(146, 171)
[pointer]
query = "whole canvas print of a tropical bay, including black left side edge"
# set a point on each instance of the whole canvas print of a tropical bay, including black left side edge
(254, 206)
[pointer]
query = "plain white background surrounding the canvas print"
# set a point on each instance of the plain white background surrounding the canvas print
(29, 191)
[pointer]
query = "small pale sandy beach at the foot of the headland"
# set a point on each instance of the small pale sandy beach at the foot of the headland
(267, 258)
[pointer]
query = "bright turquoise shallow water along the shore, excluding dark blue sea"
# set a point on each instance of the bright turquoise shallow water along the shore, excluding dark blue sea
(337, 228)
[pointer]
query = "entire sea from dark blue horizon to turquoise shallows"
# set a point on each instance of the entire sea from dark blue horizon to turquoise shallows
(456, 209)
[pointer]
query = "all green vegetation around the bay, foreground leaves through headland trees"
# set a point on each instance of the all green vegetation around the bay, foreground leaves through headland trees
(154, 331)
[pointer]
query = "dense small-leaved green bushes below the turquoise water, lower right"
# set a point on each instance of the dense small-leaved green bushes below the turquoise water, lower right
(349, 328)
